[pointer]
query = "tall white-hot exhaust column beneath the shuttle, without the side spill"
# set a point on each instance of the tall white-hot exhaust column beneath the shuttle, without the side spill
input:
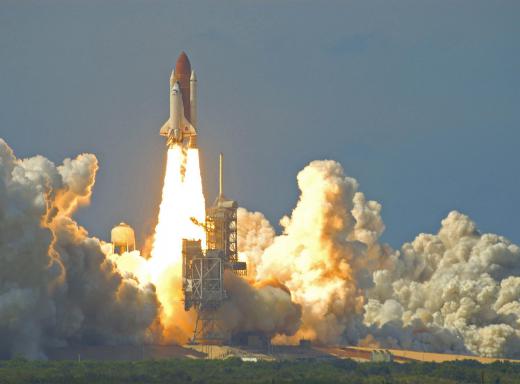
(182, 199)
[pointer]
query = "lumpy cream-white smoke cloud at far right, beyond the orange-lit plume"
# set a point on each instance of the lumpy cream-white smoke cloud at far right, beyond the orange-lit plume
(458, 280)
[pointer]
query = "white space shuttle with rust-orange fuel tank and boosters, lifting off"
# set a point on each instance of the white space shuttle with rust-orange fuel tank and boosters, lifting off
(180, 128)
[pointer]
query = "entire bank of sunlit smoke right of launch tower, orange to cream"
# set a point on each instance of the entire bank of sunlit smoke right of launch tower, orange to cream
(457, 291)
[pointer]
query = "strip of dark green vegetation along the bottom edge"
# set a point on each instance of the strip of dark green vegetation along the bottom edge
(236, 371)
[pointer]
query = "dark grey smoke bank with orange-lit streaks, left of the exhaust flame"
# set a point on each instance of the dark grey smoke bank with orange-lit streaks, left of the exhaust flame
(56, 285)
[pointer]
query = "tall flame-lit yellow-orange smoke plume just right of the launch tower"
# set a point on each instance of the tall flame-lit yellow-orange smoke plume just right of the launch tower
(314, 256)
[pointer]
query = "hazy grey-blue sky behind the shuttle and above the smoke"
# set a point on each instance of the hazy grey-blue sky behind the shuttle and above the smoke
(418, 100)
